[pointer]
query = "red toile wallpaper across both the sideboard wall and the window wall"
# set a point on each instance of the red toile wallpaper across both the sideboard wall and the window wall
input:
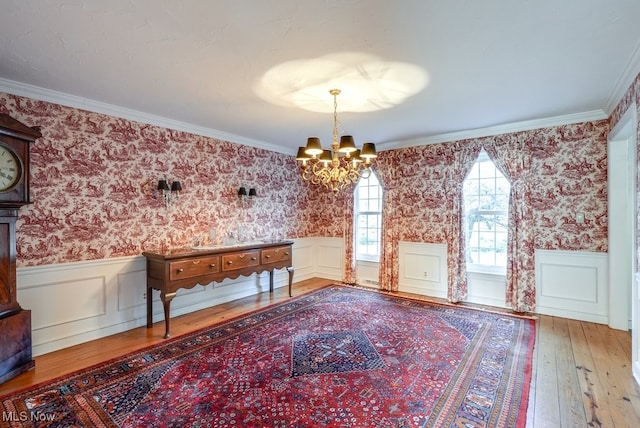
(94, 178)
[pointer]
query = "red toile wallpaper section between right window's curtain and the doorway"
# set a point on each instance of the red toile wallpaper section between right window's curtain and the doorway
(570, 170)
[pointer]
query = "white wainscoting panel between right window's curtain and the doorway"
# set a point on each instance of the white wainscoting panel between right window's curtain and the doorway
(572, 284)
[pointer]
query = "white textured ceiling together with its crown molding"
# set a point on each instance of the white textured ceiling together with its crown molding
(200, 64)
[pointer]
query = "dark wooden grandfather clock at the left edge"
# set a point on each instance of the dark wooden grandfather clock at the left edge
(15, 322)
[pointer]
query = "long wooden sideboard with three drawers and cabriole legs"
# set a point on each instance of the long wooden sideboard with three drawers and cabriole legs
(187, 267)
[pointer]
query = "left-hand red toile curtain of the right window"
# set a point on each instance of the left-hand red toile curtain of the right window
(465, 155)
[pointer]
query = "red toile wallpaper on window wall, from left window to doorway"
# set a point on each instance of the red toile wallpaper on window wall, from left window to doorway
(569, 166)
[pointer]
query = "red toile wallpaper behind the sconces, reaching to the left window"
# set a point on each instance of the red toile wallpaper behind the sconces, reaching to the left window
(94, 178)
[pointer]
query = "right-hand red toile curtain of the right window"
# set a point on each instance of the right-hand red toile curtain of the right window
(512, 156)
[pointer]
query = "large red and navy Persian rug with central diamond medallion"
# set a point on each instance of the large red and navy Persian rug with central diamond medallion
(336, 357)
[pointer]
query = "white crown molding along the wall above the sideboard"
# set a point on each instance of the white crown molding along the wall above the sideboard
(43, 94)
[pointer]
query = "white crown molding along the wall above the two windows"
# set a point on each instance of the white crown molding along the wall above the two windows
(528, 125)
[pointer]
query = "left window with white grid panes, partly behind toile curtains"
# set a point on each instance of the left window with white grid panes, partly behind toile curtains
(368, 218)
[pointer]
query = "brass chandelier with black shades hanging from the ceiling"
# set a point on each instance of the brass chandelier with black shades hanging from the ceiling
(342, 165)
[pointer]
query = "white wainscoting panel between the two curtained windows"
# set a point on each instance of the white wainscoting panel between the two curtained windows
(423, 269)
